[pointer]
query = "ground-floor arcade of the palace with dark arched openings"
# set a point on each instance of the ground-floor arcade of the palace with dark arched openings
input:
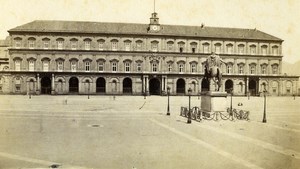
(140, 84)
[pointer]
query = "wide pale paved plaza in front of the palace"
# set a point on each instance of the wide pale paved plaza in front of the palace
(133, 132)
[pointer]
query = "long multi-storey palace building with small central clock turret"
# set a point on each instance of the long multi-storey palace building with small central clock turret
(70, 57)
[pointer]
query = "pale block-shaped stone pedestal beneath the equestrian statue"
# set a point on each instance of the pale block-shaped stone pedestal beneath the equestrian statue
(212, 101)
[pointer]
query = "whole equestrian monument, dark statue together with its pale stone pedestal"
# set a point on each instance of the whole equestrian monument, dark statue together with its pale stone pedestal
(213, 100)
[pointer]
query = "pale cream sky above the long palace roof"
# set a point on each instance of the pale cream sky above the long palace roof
(280, 18)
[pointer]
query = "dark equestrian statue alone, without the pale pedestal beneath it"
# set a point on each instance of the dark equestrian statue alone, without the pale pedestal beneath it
(212, 71)
